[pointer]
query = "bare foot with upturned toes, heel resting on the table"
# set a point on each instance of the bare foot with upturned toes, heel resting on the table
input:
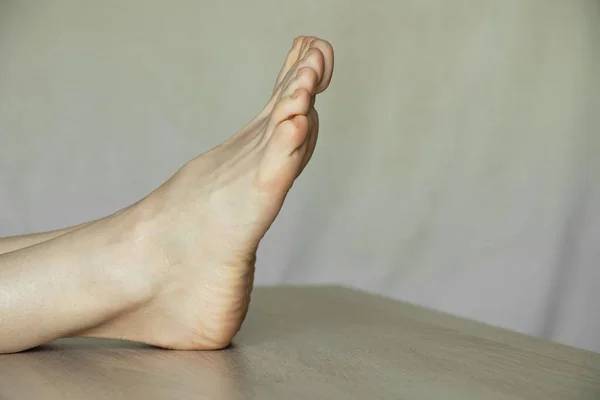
(200, 230)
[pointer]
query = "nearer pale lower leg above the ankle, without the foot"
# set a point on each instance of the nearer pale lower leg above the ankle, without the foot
(59, 287)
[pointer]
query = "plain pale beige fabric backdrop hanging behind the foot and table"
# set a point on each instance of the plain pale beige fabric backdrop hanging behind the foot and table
(458, 159)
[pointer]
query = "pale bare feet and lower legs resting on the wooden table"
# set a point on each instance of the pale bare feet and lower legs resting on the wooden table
(175, 269)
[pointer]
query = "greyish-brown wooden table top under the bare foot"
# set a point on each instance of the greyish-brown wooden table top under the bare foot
(315, 343)
